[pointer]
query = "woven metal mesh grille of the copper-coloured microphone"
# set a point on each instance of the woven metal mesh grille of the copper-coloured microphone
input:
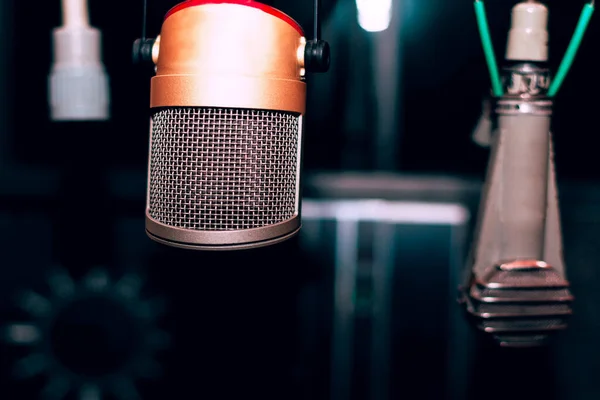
(216, 169)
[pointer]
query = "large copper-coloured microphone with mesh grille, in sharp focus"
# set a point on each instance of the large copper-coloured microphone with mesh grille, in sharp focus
(228, 102)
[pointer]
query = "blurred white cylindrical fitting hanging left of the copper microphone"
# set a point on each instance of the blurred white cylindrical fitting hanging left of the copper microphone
(78, 84)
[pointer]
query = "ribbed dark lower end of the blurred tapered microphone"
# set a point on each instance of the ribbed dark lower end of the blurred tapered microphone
(519, 303)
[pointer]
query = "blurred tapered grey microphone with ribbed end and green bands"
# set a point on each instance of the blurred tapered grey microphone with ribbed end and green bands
(516, 287)
